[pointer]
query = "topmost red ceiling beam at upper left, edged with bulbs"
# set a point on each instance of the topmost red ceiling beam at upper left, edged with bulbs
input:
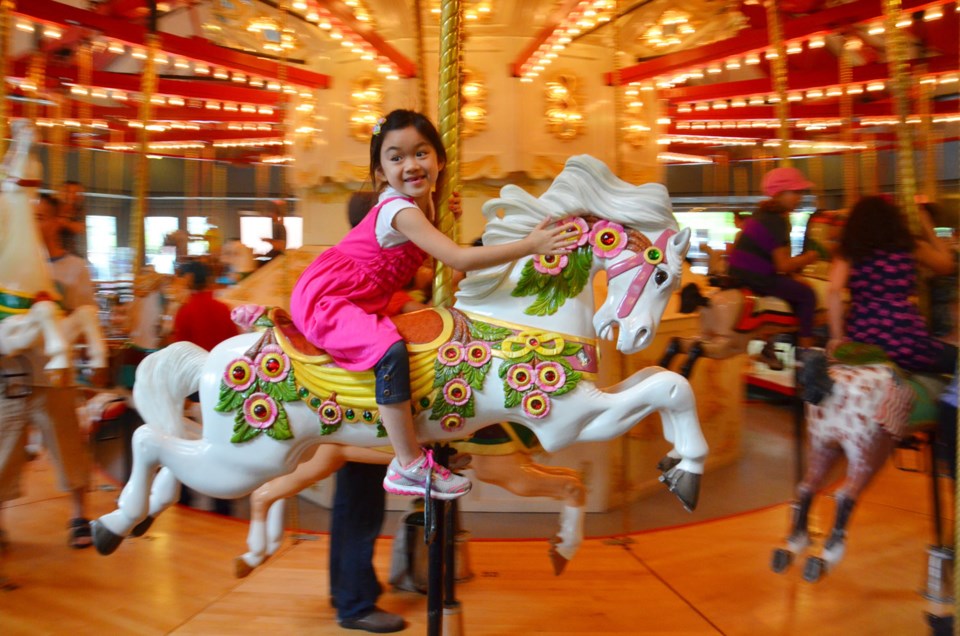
(199, 49)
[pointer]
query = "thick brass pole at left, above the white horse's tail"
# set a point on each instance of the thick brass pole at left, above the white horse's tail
(141, 173)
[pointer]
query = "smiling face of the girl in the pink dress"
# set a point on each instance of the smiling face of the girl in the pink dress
(409, 164)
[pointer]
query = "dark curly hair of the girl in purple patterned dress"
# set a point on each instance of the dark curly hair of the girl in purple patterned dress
(875, 223)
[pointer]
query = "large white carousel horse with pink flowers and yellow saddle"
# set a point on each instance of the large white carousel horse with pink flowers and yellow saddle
(267, 398)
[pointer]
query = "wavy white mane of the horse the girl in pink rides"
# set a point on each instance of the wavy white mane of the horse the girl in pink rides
(585, 186)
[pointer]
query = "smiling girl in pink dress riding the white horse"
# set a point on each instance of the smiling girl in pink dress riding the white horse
(335, 302)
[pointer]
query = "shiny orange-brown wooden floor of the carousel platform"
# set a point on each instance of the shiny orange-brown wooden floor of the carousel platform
(707, 578)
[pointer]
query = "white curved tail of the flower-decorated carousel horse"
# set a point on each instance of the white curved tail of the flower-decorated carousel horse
(164, 379)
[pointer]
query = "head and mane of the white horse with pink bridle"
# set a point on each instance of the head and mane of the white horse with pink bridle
(626, 230)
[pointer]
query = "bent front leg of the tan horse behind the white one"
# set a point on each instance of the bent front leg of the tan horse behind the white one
(519, 474)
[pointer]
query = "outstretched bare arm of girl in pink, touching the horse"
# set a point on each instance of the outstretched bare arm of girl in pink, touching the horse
(544, 239)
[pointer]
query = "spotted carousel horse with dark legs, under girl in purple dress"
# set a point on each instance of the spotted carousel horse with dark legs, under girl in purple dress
(859, 412)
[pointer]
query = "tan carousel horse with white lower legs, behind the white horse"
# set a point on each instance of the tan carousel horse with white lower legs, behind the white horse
(512, 469)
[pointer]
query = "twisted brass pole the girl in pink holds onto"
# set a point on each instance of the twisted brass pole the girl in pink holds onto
(451, 36)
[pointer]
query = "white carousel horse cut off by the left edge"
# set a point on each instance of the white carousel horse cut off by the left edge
(28, 314)
